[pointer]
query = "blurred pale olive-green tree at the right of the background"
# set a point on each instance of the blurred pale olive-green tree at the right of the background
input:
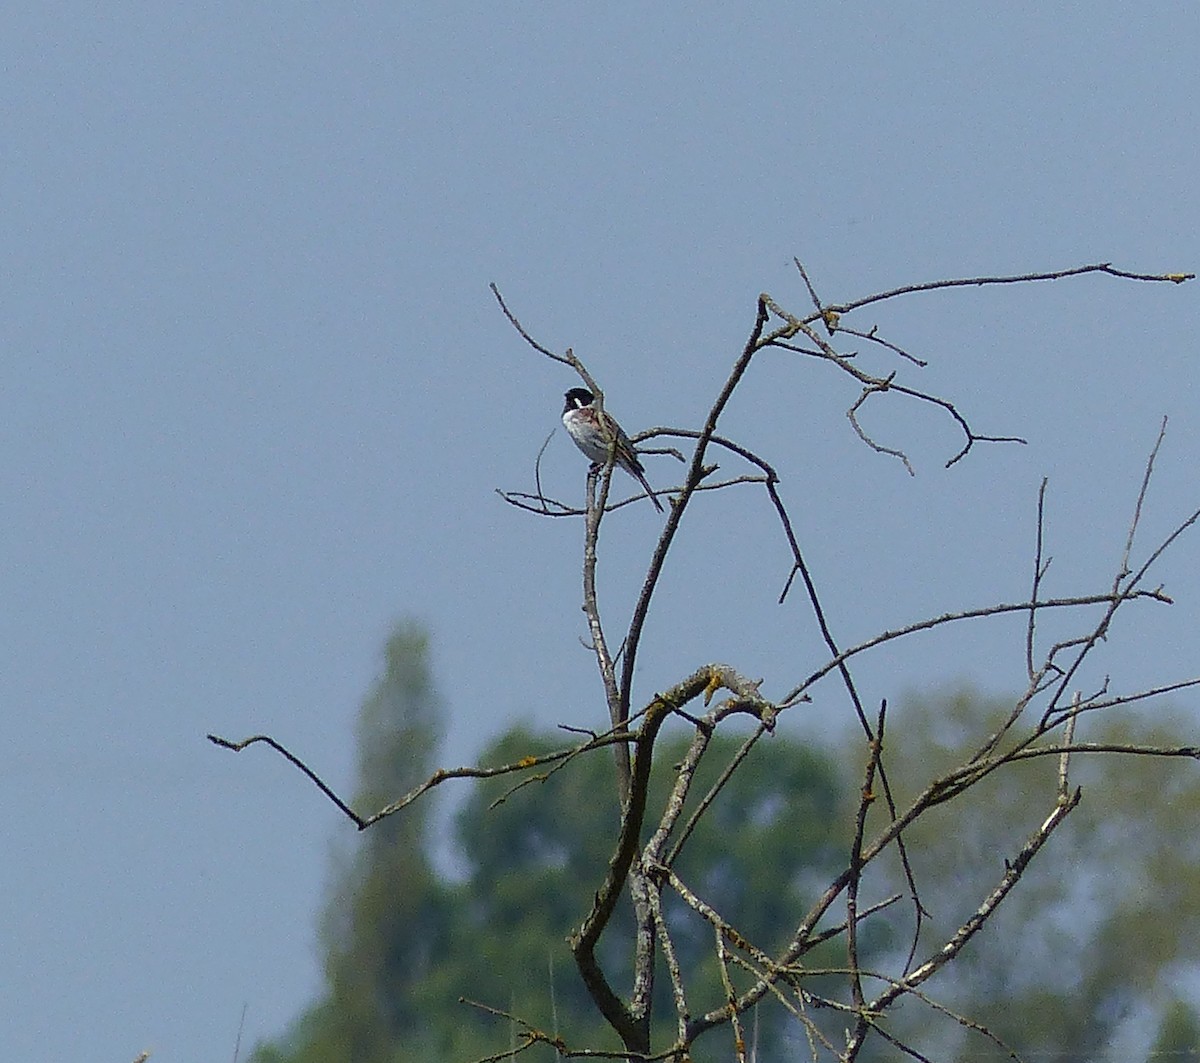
(1105, 918)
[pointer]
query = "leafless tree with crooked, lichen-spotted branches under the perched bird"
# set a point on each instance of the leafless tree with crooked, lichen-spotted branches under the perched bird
(647, 870)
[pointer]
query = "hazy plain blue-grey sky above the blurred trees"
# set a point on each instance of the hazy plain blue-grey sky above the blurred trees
(255, 399)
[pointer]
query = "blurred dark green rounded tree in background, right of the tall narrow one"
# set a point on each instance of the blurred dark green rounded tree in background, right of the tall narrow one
(537, 858)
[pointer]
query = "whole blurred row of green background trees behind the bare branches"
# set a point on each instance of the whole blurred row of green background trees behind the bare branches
(1101, 922)
